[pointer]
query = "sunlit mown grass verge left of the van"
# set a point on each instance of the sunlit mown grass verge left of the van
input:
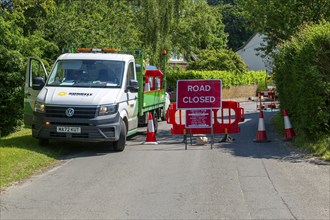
(21, 156)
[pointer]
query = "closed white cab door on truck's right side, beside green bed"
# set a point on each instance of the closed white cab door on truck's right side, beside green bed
(132, 97)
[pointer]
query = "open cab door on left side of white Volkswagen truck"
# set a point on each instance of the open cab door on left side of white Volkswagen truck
(35, 74)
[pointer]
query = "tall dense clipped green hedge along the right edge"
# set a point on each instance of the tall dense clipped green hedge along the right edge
(303, 80)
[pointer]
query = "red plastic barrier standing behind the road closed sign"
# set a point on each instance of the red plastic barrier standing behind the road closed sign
(221, 124)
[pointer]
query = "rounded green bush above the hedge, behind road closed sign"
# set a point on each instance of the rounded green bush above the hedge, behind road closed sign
(226, 60)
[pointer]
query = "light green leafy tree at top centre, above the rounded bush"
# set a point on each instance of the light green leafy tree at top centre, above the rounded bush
(199, 27)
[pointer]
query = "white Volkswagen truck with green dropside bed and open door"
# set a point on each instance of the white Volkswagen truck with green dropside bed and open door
(93, 96)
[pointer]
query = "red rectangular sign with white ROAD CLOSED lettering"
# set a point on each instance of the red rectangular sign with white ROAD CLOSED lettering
(198, 94)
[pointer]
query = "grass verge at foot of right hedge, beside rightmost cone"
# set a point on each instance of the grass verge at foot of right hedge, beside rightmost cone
(320, 147)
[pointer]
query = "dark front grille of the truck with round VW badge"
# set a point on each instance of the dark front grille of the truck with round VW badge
(79, 112)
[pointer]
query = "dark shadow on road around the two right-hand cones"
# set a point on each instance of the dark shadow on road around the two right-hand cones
(277, 148)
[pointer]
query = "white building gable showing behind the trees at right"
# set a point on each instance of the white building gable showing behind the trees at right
(253, 57)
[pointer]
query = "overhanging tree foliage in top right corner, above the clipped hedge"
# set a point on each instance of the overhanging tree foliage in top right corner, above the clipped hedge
(279, 19)
